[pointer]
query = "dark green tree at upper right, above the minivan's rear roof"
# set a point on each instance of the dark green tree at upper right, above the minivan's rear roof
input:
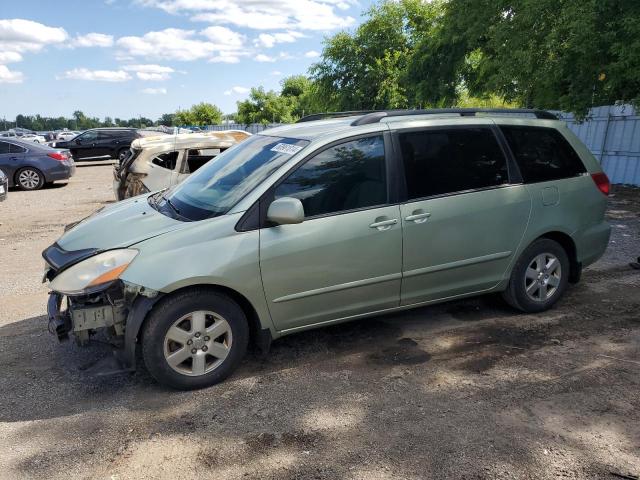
(554, 54)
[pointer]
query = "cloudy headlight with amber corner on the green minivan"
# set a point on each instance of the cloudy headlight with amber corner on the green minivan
(94, 273)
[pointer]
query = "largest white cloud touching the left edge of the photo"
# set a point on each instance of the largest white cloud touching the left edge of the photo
(19, 35)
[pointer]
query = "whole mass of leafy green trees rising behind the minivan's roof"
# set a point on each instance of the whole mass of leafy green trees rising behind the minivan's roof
(553, 54)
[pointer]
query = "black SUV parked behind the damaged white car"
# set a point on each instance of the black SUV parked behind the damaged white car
(102, 143)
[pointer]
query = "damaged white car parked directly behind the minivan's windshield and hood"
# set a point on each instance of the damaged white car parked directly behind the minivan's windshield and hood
(156, 163)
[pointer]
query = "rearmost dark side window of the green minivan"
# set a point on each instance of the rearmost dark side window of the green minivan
(542, 153)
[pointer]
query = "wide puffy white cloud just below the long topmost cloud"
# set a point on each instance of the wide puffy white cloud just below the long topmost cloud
(220, 44)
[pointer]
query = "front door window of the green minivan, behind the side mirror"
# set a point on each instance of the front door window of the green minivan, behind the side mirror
(345, 177)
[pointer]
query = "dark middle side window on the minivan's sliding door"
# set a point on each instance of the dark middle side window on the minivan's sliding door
(440, 161)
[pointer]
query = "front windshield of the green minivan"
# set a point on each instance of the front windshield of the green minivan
(223, 181)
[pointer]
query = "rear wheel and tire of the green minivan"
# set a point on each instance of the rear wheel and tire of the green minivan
(539, 277)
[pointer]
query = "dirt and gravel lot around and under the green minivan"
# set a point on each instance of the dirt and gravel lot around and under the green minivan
(464, 390)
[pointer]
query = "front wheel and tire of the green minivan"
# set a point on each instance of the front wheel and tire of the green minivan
(194, 339)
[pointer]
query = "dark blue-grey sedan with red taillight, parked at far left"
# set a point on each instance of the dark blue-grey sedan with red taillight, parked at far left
(30, 166)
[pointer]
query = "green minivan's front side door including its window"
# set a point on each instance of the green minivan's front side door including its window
(345, 258)
